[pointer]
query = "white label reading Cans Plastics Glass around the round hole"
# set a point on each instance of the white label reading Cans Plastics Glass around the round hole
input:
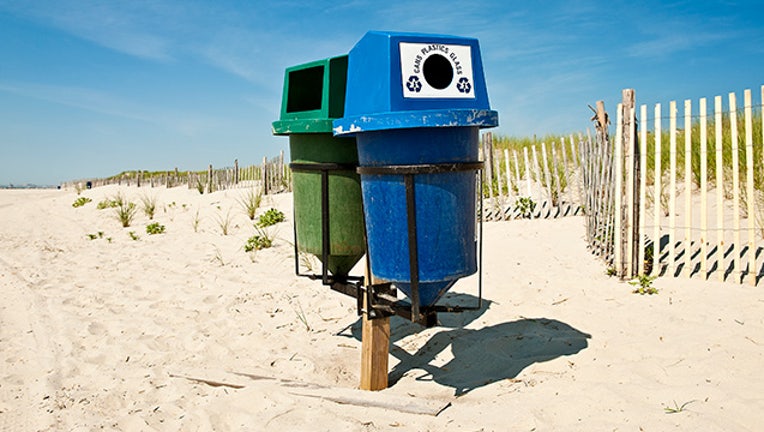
(433, 70)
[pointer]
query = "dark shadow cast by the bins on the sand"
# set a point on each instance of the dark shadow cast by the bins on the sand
(482, 356)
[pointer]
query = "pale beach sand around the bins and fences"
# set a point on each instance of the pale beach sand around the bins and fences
(187, 331)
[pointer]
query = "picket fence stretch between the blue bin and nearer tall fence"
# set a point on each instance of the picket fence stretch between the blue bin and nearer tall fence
(535, 181)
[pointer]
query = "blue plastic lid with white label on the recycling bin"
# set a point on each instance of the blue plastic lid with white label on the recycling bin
(405, 80)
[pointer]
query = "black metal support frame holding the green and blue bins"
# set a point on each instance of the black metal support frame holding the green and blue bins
(382, 300)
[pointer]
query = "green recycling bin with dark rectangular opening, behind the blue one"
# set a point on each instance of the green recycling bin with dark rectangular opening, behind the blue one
(328, 212)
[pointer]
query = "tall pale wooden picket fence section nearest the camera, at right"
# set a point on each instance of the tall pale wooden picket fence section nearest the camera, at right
(686, 202)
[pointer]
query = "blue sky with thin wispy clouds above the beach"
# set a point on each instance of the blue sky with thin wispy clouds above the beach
(93, 88)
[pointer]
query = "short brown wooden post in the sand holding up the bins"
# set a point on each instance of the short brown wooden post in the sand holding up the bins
(375, 347)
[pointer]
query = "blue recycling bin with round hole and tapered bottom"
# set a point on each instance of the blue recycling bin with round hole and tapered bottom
(415, 103)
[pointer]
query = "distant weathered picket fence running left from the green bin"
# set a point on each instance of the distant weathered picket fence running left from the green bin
(272, 175)
